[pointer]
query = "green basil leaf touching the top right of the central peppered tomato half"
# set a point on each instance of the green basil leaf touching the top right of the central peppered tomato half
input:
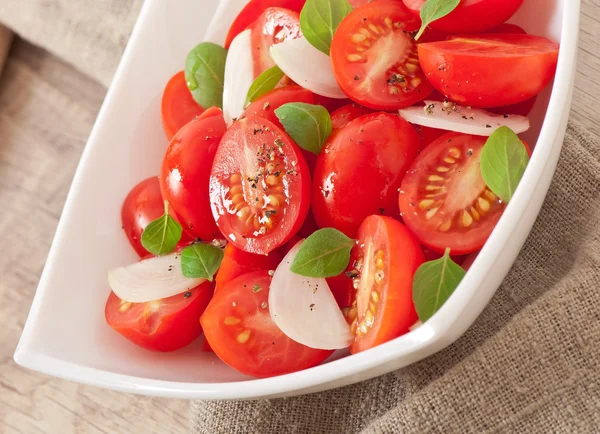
(309, 125)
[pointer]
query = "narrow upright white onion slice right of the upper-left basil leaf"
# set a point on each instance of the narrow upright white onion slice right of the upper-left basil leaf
(239, 76)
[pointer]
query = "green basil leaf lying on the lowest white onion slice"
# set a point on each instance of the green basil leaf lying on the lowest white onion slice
(326, 253)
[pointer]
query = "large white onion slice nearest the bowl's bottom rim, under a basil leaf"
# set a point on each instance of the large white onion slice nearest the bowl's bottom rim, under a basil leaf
(305, 310)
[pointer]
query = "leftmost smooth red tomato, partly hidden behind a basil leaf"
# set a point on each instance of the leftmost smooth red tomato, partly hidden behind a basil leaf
(144, 204)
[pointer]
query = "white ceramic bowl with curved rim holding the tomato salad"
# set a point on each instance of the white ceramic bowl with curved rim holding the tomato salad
(66, 336)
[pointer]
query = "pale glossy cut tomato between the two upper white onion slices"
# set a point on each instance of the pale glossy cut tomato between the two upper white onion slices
(274, 26)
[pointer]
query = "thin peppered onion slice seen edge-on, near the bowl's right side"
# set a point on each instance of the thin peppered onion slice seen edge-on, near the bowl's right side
(461, 119)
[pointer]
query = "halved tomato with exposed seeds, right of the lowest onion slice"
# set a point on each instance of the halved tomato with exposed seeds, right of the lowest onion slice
(384, 262)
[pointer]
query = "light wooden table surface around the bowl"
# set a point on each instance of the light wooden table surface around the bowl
(46, 112)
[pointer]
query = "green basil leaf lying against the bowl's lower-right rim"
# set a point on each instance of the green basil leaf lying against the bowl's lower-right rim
(433, 283)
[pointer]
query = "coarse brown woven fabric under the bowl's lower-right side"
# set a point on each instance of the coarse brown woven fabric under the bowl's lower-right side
(529, 364)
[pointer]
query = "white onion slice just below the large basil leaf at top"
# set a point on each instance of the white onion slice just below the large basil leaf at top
(307, 66)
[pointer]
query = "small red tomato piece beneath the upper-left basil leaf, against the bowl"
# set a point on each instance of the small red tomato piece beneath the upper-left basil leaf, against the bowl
(178, 105)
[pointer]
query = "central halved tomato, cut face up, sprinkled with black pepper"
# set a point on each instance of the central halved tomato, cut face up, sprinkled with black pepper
(259, 186)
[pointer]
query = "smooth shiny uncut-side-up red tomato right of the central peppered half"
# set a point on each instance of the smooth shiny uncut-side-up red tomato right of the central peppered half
(359, 171)
